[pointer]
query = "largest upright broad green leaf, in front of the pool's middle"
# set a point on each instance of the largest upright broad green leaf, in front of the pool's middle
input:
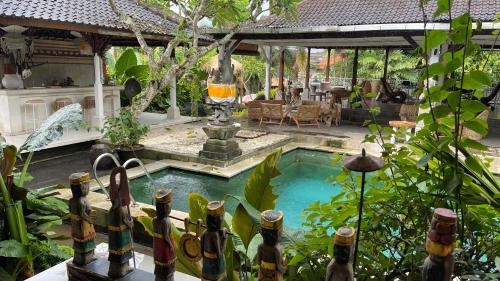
(259, 197)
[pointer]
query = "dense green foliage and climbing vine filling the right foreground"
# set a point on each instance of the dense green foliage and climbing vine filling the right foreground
(438, 167)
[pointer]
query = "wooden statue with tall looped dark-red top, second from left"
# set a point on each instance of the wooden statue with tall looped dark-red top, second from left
(120, 225)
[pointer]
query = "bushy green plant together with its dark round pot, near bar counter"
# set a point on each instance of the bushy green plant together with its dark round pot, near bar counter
(125, 133)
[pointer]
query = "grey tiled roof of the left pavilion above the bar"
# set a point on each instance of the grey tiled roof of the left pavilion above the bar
(83, 15)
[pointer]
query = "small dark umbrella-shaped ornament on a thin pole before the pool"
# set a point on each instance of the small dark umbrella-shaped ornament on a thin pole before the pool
(363, 163)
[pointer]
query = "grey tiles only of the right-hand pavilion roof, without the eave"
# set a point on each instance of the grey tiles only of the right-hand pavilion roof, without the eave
(318, 13)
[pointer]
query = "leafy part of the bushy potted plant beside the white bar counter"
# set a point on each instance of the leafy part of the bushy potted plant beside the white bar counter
(125, 130)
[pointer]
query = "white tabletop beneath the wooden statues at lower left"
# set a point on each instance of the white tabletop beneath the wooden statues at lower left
(146, 263)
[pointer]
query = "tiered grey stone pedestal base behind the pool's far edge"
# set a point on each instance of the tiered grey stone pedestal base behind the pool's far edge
(221, 144)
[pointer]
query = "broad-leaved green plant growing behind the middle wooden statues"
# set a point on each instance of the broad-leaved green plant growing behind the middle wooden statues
(244, 224)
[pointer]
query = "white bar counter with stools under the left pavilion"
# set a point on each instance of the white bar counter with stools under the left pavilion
(12, 103)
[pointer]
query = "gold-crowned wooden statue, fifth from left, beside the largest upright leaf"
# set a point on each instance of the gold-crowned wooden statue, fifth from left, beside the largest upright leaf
(269, 254)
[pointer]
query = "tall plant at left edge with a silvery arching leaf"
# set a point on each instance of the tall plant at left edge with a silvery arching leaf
(17, 246)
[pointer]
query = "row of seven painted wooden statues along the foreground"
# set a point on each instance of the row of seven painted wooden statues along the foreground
(437, 267)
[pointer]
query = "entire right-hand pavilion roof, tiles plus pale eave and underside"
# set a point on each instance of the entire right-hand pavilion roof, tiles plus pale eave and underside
(364, 24)
